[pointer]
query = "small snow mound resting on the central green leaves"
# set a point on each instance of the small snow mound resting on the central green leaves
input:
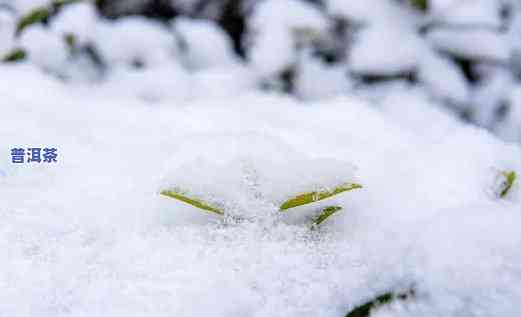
(245, 177)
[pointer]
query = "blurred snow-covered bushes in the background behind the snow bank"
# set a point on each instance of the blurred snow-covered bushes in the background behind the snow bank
(416, 59)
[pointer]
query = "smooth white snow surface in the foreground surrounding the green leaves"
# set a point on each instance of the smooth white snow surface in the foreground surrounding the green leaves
(91, 236)
